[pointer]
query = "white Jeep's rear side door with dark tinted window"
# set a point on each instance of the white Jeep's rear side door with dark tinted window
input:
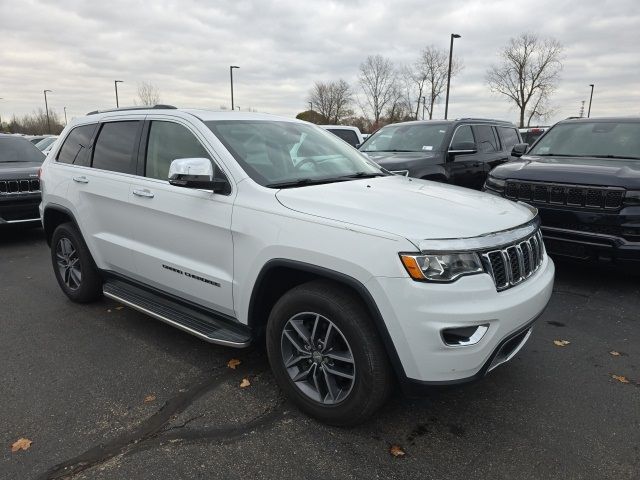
(100, 191)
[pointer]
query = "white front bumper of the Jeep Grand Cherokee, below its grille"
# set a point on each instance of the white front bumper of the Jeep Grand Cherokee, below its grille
(416, 313)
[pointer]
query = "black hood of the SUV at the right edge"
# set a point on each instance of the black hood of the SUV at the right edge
(611, 172)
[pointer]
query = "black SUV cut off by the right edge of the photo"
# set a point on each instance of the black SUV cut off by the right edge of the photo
(584, 177)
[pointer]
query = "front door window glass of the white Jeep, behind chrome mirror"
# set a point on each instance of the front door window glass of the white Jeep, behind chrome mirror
(167, 142)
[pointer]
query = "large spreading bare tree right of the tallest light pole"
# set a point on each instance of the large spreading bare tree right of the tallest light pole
(528, 73)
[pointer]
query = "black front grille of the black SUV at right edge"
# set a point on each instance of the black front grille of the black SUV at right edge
(578, 196)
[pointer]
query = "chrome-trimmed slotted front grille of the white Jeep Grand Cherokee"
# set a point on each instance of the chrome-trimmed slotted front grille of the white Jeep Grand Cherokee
(512, 264)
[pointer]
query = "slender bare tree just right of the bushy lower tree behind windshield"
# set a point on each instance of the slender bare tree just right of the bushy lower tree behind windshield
(378, 79)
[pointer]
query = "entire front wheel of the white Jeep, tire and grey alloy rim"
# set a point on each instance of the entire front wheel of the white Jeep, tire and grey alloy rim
(326, 355)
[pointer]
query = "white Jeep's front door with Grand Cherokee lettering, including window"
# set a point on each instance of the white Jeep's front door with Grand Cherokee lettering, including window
(183, 235)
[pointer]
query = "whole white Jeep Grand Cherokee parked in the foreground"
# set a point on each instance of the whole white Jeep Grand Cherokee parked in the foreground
(237, 227)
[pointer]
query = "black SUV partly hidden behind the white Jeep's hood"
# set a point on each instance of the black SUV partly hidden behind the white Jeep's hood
(461, 151)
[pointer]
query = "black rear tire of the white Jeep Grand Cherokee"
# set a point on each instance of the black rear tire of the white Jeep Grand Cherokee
(89, 286)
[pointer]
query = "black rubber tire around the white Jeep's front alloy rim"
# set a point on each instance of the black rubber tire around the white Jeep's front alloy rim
(373, 377)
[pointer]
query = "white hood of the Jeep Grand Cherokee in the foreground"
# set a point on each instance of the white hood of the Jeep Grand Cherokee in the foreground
(412, 208)
